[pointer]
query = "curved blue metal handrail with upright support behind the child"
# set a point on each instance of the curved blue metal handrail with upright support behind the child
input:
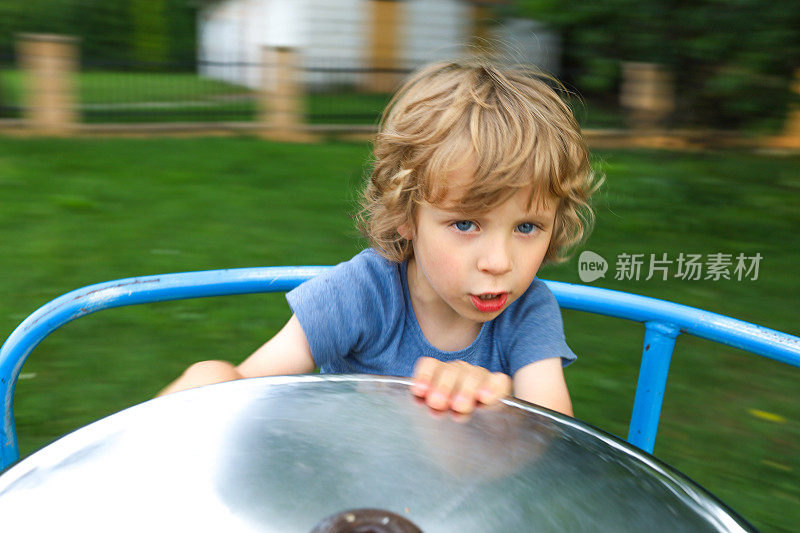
(663, 320)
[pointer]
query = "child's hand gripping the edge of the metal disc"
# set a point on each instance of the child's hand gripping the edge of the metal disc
(457, 385)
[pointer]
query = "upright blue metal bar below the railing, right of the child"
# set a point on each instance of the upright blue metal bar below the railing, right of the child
(659, 342)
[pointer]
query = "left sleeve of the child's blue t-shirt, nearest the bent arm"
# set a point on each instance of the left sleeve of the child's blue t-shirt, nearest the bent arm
(342, 310)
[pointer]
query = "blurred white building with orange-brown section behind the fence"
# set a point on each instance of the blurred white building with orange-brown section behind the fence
(354, 35)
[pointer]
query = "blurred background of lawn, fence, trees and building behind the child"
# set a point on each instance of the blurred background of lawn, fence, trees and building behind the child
(148, 136)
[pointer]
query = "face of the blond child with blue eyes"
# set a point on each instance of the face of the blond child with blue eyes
(474, 266)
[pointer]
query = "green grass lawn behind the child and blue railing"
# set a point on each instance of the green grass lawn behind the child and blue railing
(75, 212)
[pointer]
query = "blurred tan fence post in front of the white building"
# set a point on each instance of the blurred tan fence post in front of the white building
(281, 96)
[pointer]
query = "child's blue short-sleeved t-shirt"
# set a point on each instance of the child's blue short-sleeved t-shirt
(358, 318)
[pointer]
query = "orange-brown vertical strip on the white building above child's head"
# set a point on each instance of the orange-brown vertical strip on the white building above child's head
(383, 45)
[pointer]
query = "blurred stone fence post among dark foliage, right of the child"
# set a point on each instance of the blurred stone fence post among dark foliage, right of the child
(647, 94)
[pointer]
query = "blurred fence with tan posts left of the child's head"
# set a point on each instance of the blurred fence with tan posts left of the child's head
(56, 93)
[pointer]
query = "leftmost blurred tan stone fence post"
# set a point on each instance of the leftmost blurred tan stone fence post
(49, 63)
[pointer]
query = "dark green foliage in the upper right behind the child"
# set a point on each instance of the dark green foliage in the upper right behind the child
(733, 60)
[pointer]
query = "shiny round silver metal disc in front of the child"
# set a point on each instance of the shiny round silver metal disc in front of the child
(285, 453)
